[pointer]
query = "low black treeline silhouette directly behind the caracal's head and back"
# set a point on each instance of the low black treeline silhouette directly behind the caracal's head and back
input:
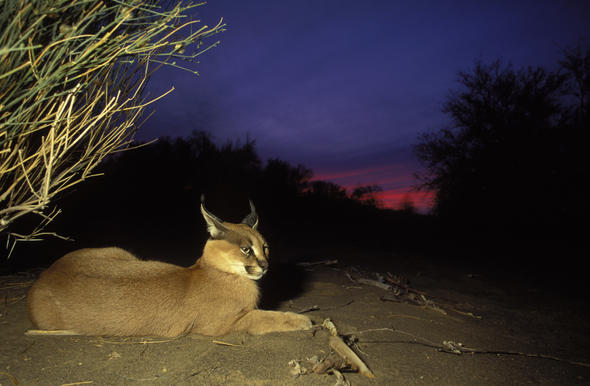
(148, 201)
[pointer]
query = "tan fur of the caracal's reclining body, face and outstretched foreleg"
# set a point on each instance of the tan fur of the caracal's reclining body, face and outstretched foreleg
(108, 291)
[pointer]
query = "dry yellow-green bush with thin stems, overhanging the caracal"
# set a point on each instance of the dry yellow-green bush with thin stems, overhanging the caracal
(72, 75)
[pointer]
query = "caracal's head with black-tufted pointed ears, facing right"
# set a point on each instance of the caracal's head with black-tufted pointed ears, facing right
(236, 248)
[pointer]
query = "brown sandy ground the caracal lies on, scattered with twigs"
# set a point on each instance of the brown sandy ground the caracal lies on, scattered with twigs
(398, 341)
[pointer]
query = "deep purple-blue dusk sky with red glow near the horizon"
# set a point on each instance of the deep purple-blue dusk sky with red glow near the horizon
(344, 87)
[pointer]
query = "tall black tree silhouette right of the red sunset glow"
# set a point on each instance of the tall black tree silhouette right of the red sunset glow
(513, 163)
